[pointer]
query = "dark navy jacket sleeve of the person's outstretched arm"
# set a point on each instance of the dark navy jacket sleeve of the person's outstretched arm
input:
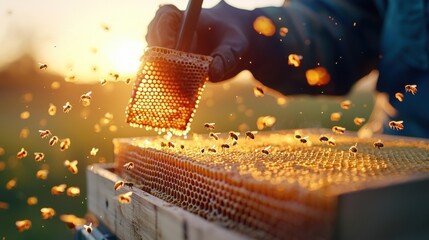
(341, 36)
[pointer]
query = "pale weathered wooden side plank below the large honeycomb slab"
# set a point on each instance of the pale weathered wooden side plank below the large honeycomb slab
(147, 217)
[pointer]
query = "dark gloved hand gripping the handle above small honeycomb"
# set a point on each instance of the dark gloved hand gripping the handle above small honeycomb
(223, 32)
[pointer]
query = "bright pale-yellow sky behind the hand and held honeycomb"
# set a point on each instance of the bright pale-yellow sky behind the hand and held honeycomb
(70, 36)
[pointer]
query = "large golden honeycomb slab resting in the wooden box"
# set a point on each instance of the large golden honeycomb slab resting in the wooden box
(289, 193)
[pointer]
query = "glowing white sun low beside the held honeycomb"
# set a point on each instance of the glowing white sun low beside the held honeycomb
(124, 56)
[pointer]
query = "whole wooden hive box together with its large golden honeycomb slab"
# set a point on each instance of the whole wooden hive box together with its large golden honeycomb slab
(273, 187)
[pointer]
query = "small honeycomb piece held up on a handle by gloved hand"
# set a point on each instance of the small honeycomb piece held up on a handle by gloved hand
(167, 90)
